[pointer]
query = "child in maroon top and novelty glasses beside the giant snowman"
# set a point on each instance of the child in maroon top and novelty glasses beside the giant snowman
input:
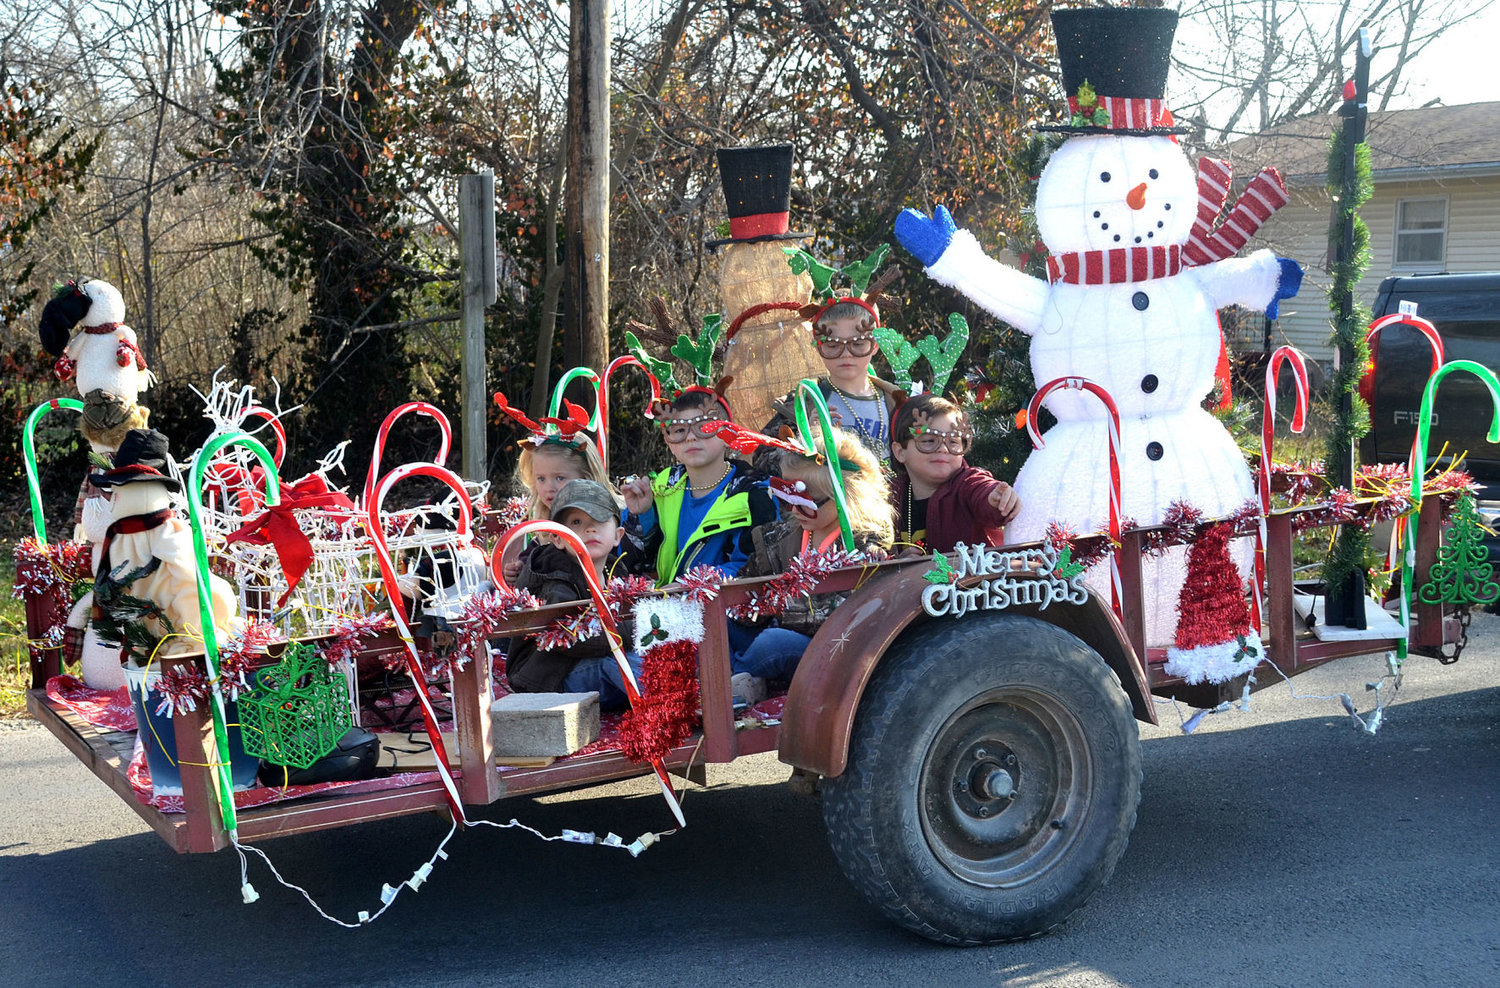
(940, 498)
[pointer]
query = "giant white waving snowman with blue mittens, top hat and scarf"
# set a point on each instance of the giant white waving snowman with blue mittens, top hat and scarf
(1136, 277)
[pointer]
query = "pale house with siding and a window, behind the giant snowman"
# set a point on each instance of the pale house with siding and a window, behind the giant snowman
(1436, 208)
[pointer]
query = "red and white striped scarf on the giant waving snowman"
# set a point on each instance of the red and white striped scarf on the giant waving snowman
(1262, 197)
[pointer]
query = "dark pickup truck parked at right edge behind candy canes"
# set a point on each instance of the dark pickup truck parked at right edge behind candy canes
(1466, 311)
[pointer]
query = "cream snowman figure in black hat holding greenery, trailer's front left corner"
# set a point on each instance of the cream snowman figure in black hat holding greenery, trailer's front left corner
(148, 569)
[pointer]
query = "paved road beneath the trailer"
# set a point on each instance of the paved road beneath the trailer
(1274, 848)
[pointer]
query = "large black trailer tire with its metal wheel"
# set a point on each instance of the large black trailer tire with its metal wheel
(946, 714)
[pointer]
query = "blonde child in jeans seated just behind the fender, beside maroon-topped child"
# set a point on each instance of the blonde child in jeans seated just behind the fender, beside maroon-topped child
(811, 522)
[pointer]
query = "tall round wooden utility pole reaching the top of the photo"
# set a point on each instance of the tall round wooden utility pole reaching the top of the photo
(586, 338)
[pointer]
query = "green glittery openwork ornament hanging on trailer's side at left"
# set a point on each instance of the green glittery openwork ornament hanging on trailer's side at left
(298, 710)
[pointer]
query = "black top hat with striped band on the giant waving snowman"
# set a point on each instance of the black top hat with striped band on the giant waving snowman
(1115, 68)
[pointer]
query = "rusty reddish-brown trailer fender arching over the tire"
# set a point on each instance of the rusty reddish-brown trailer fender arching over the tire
(842, 657)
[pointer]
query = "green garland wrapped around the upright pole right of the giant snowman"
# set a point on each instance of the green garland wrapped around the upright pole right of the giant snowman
(1351, 320)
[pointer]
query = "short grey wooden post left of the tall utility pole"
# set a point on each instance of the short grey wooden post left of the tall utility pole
(478, 235)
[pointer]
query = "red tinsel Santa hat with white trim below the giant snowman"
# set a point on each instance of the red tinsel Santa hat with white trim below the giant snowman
(1216, 639)
